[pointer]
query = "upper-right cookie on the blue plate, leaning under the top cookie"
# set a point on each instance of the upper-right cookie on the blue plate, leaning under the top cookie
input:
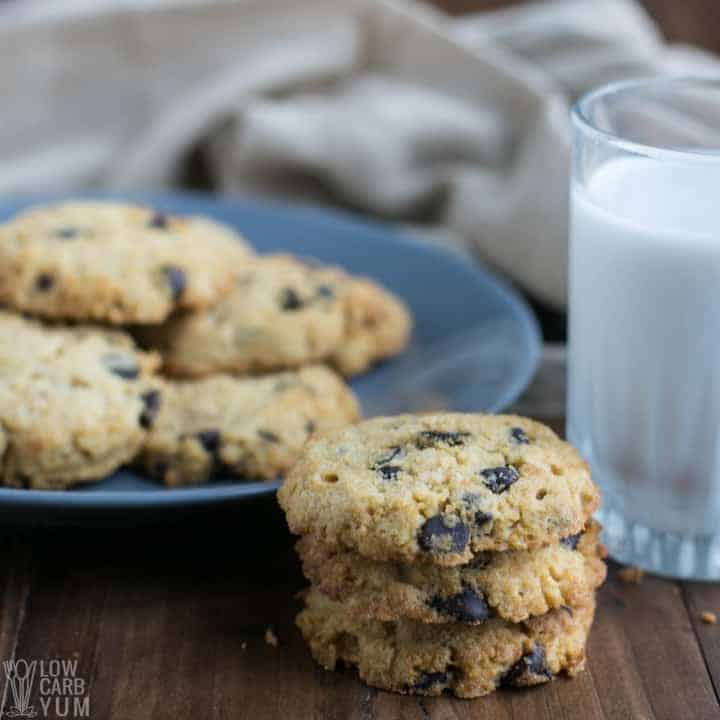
(283, 313)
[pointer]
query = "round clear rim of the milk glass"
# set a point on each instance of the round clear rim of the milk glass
(580, 117)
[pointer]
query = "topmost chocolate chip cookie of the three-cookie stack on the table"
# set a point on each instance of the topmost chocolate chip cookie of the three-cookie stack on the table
(440, 487)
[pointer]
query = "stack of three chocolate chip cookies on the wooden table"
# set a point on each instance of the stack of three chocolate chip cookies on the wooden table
(447, 553)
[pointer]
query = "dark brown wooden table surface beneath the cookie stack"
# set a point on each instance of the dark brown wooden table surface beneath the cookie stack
(169, 621)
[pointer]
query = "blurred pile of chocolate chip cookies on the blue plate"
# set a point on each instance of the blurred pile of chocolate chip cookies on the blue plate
(83, 283)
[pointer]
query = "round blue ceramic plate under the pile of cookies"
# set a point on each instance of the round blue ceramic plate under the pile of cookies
(475, 343)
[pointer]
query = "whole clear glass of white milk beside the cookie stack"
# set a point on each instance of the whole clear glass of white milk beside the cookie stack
(644, 329)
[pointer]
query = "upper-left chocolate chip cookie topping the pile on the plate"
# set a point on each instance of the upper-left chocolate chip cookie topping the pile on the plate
(114, 262)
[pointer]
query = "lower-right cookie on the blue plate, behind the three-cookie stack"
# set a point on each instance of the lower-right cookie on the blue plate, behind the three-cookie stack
(242, 427)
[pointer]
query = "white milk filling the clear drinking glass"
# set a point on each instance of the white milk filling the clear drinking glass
(644, 403)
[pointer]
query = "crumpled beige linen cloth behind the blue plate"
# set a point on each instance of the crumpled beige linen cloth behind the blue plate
(389, 108)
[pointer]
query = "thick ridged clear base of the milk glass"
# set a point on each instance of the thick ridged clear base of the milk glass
(685, 557)
